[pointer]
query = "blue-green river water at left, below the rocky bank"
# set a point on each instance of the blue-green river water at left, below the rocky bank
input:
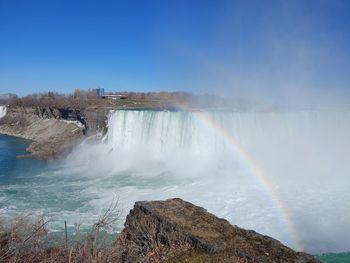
(30, 187)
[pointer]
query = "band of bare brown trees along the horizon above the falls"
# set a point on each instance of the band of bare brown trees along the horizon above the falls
(81, 100)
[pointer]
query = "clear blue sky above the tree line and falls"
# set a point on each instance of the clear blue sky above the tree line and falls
(281, 49)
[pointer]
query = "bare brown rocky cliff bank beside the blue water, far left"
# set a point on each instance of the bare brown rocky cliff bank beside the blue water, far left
(52, 131)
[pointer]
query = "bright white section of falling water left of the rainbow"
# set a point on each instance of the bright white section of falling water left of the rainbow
(163, 132)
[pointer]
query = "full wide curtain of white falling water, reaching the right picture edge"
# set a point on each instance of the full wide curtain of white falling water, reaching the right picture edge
(314, 140)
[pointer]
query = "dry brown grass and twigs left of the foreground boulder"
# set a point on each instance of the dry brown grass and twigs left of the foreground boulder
(24, 239)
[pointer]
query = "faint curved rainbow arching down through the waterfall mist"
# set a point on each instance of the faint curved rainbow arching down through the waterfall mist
(246, 159)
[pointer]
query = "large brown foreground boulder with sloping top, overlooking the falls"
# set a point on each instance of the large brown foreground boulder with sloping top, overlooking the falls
(178, 231)
